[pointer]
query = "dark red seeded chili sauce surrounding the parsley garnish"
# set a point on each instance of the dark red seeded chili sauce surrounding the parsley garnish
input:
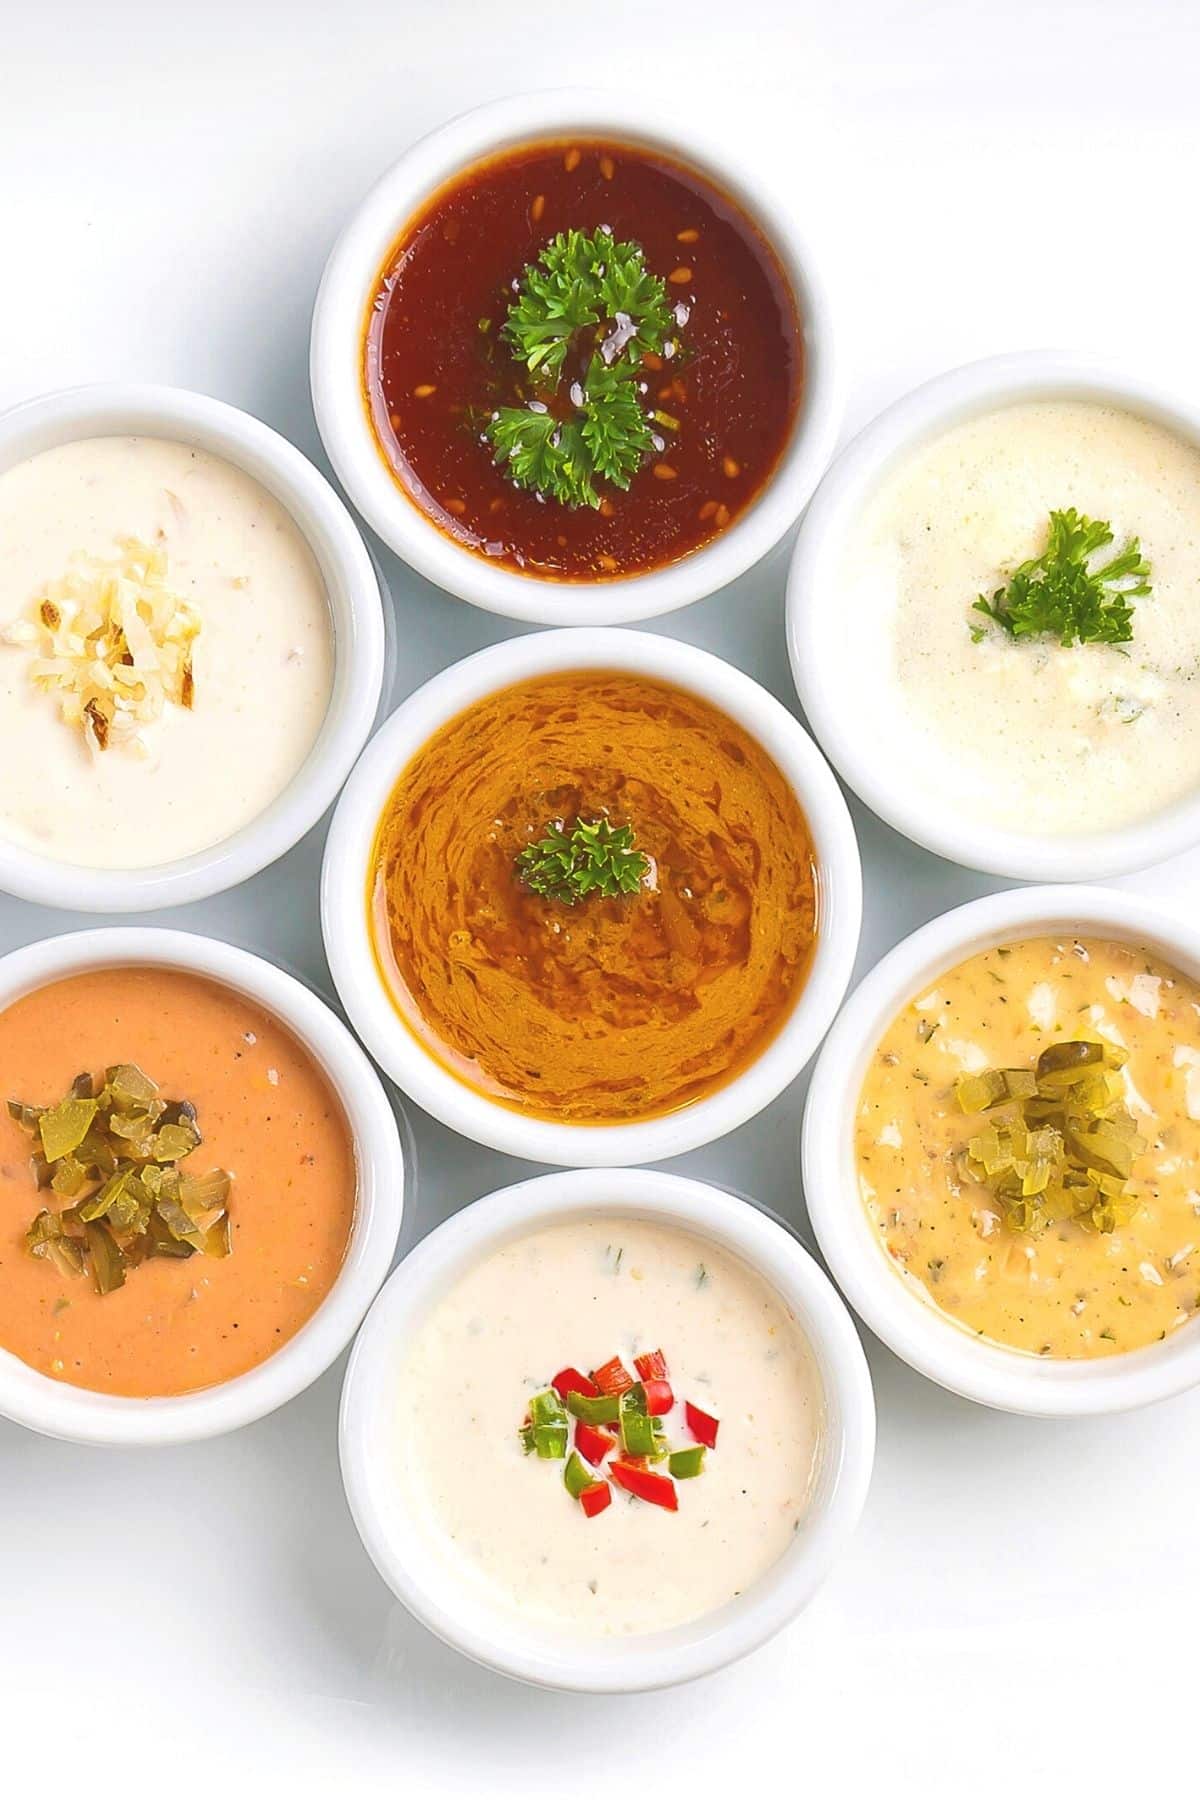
(436, 366)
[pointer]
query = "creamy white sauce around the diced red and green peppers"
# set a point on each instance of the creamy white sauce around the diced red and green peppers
(562, 1297)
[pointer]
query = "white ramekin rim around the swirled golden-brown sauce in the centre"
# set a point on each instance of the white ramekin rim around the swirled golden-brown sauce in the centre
(348, 865)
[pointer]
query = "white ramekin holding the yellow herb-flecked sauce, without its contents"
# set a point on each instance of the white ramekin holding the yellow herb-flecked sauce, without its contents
(891, 1306)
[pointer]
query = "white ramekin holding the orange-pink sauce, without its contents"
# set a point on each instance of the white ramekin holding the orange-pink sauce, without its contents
(85, 1417)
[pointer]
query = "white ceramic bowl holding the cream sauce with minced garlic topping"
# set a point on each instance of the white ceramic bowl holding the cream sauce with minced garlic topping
(355, 606)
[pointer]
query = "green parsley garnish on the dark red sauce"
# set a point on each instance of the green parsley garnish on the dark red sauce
(587, 301)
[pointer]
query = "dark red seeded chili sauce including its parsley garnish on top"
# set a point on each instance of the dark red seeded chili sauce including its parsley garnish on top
(665, 417)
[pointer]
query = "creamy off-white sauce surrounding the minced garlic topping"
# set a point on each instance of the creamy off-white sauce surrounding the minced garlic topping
(264, 660)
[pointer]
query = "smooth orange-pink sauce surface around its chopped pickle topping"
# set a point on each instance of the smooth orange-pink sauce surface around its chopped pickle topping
(267, 1115)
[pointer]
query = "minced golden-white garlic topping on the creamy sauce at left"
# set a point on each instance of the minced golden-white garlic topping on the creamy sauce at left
(114, 643)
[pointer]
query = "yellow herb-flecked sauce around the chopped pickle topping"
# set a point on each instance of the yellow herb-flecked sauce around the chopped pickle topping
(1068, 1291)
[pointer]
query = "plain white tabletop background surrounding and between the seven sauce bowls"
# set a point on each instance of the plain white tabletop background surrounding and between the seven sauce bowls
(1019, 1610)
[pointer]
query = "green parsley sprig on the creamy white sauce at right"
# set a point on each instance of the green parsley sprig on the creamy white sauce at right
(1064, 597)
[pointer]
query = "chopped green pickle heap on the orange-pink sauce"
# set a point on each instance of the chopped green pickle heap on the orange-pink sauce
(114, 1153)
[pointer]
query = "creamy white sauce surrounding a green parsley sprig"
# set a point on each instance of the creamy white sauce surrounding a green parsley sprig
(1028, 735)
